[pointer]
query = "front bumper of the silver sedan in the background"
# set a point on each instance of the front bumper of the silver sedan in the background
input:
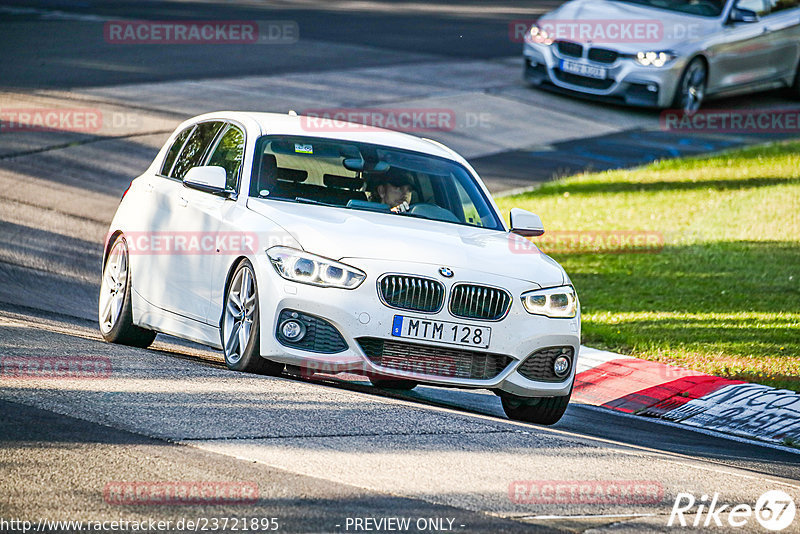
(627, 81)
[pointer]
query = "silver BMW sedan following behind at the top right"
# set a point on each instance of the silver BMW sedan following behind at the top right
(666, 53)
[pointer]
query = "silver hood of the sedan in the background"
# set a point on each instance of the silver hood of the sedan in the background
(672, 28)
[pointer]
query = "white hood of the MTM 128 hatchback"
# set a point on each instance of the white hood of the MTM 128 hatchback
(340, 233)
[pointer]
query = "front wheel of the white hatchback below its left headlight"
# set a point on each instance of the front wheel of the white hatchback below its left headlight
(239, 327)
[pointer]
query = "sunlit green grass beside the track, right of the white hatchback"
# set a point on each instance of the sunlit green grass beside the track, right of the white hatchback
(723, 294)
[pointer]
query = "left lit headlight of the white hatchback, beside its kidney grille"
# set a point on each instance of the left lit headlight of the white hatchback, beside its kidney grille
(299, 266)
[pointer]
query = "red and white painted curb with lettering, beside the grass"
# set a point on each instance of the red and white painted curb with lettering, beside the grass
(652, 389)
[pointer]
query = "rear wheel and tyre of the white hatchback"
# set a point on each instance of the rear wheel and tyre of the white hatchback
(114, 307)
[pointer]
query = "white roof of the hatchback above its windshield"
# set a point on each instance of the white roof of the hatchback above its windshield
(298, 125)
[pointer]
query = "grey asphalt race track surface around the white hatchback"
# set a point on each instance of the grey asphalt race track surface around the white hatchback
(321, 452)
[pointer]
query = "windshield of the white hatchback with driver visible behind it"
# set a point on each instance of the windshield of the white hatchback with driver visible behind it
(368, 177)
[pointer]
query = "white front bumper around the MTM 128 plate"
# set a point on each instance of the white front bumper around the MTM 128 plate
(359, 314)
